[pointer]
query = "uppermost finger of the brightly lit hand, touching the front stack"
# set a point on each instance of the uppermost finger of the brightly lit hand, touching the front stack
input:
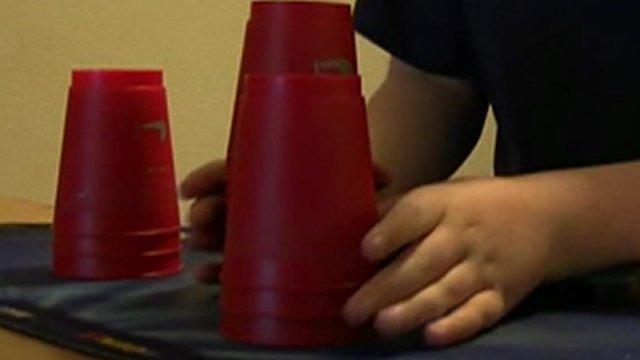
(413, 217)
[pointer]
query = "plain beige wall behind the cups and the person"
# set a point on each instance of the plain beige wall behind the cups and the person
(196, 43)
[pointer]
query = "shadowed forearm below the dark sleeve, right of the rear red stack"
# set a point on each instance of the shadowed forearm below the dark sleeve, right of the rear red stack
(423, 126)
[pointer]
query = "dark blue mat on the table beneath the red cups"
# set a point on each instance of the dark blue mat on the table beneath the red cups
(176, 318)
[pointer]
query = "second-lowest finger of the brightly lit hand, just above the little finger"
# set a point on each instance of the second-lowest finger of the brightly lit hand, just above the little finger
(434, 301)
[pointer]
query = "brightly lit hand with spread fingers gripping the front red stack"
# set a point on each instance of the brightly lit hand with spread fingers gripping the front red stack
(469, 251)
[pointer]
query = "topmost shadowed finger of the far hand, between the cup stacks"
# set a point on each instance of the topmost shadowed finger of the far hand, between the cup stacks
(206, 180)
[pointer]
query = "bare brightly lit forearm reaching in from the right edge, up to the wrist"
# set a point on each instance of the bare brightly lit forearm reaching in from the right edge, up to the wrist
(596, 213)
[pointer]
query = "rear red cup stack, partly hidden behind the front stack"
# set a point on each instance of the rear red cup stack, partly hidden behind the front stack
(295, 37)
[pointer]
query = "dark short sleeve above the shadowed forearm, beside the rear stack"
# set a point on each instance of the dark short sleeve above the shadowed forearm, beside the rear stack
(428, 34)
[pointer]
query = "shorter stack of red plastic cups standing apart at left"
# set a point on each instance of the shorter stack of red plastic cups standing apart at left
(116, 212)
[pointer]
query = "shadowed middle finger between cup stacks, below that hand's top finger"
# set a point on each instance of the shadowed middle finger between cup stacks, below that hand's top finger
(207, 217)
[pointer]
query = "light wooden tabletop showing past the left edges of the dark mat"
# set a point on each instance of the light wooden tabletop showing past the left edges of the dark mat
(12, 345)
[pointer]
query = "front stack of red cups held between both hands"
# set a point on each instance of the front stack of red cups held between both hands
(302, 199)
